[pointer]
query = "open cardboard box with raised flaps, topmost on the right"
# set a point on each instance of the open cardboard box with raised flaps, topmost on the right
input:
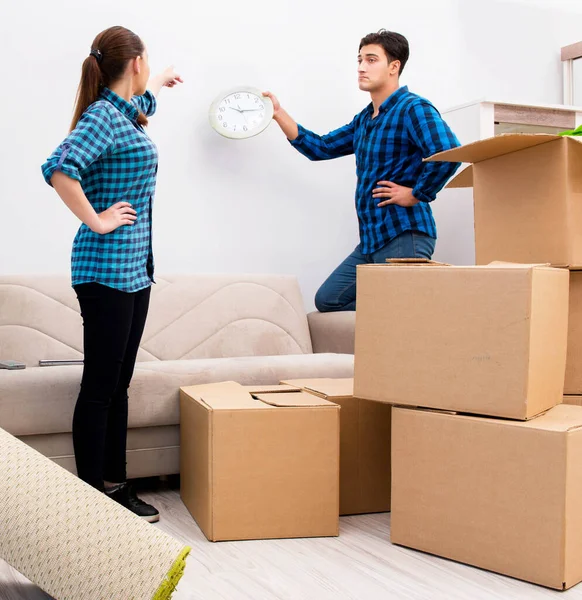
(527, 191)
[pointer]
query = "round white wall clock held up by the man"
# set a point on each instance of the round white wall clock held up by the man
(241, 113)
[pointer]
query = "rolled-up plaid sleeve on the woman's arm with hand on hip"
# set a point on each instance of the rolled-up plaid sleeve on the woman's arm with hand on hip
(91, 139)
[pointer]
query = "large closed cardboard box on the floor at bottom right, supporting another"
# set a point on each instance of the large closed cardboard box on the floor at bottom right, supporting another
(501, 495)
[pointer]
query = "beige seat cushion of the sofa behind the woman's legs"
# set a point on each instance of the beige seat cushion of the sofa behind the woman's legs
(41, 400)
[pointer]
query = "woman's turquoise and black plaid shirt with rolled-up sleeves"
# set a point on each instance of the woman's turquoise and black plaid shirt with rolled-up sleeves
(115, 161)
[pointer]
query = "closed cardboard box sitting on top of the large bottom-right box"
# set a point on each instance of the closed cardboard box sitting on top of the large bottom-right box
(487, 340)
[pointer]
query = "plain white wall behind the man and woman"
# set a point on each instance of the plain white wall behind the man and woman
(255, 205)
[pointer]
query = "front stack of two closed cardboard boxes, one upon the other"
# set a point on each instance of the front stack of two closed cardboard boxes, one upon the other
(470, 356)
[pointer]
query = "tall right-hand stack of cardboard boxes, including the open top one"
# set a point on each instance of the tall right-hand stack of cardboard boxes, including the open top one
(486, 462)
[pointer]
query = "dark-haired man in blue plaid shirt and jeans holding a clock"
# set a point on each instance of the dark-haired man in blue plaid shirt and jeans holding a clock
(390, 138)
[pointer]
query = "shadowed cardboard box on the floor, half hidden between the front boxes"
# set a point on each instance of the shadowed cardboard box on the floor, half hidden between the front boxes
(364, 445)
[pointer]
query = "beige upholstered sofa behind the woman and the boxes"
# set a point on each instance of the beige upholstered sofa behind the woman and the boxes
(201, 328)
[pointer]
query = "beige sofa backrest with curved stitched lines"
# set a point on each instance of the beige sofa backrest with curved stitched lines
(190, 316)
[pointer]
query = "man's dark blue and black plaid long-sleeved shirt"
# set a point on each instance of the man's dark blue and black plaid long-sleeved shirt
(390, 147)
